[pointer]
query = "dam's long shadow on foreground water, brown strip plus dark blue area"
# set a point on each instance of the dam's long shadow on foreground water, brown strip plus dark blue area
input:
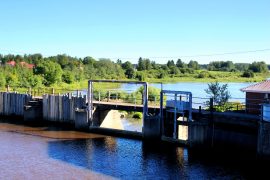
(129, 158)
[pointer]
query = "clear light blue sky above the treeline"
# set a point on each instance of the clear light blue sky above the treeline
(126, 29)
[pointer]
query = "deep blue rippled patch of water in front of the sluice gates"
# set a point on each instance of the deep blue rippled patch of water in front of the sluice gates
(125, 158)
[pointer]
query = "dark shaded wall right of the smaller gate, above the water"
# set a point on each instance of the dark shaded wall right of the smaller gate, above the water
(224, 130)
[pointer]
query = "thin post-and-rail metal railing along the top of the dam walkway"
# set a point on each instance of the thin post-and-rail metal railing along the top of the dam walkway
(246, 105)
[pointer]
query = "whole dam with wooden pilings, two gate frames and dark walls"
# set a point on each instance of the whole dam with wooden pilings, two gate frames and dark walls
(174, 120)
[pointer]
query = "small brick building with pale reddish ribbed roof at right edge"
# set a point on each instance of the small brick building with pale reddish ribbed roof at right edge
(256, 95)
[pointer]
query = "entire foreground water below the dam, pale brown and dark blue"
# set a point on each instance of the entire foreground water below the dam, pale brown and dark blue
(53, 153)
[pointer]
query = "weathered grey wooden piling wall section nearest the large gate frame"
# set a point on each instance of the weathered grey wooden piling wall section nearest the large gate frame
(61, 108)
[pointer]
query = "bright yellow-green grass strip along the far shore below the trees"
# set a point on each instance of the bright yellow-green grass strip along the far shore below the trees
(209, 76)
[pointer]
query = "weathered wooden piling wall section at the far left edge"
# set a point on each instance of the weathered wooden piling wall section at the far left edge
(12, 104)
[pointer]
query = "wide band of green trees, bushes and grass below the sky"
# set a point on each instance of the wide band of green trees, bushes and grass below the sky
(66, 72)
